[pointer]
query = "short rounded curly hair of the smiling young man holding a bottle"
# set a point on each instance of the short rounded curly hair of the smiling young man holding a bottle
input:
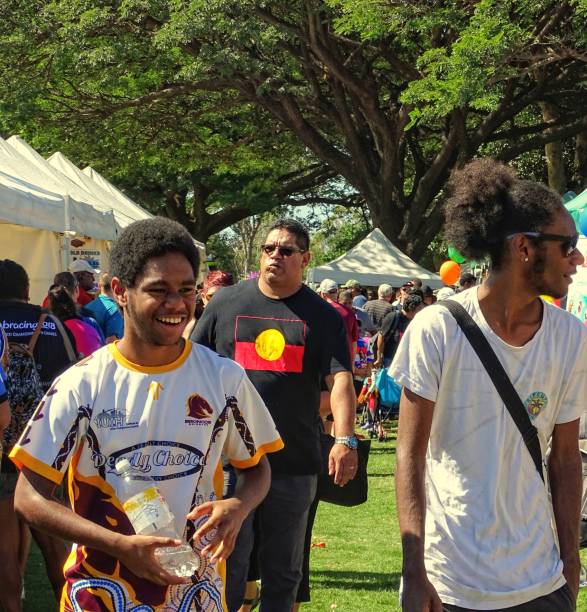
(146, 239)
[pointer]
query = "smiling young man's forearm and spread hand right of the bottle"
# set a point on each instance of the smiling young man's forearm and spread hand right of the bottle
(227, 515)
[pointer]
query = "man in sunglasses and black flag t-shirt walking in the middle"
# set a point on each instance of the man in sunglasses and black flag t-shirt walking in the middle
(288, 340)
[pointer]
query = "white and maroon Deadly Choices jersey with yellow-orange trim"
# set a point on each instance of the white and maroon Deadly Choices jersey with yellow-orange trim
(172, 423)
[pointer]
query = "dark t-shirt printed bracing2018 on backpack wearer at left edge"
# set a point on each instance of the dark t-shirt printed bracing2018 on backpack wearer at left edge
(19, 321)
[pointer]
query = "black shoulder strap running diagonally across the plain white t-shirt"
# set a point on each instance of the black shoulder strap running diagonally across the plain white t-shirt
(500, 379)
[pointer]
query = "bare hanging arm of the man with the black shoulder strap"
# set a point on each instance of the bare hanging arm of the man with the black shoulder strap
(413, 435)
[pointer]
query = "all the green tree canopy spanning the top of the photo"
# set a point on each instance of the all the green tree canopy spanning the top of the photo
(220, 106)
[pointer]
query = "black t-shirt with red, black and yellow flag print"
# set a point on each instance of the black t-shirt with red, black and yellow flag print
(286, 347)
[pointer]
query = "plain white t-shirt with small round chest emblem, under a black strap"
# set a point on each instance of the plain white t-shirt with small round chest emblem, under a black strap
(490, 541)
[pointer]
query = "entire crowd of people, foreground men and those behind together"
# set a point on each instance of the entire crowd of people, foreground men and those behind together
(219, 395)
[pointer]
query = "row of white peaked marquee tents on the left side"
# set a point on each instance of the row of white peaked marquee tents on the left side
(44, 204)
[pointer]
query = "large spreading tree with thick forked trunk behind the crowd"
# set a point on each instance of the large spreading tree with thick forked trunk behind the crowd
(389, 96)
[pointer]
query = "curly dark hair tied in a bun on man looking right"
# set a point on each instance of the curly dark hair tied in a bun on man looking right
(487, 202)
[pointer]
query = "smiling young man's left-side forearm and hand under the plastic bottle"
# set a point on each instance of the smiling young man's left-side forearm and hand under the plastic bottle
(34, 501)
